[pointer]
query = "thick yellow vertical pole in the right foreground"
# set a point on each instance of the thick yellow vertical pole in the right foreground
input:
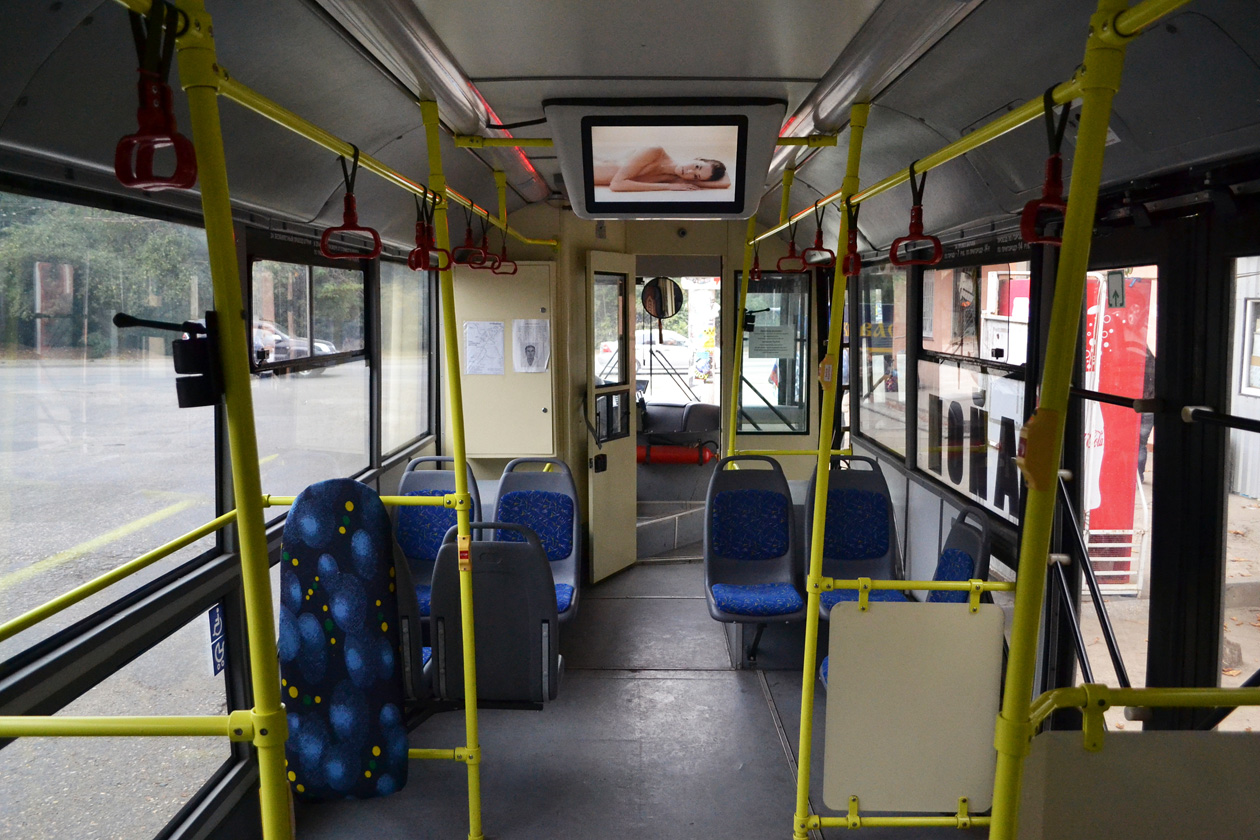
(1044, 434)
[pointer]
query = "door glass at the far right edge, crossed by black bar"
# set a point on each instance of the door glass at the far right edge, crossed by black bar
(1240, 652)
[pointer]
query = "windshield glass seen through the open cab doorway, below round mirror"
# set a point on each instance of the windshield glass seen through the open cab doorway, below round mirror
(677, 360)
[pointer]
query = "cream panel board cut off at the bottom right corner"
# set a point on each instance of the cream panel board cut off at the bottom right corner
(1150, 785)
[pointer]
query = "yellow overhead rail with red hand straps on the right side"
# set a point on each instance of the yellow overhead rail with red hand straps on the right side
(1127, 25)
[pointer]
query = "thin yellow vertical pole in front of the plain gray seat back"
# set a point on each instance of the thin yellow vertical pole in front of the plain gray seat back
(455, 399)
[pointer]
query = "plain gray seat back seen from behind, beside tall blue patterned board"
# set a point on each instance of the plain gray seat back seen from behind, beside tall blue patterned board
(517, 629)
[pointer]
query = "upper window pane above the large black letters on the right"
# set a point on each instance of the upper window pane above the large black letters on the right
(978, 312)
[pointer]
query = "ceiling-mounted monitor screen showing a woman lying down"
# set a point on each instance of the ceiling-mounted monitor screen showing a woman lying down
(677, 166)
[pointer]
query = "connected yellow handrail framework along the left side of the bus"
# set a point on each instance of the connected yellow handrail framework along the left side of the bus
(265, 726)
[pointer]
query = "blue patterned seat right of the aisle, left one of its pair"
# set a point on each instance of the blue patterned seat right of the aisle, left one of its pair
(750, 571)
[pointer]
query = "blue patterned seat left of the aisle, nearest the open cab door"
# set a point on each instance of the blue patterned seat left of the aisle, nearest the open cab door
(546, 503)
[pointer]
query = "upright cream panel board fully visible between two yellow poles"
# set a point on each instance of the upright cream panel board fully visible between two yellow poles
(912, 701)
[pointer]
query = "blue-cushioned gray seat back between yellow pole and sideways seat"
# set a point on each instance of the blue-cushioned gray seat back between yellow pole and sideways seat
(861, 536)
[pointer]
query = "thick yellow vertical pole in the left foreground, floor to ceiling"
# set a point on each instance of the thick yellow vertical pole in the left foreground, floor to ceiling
(198, 74)
